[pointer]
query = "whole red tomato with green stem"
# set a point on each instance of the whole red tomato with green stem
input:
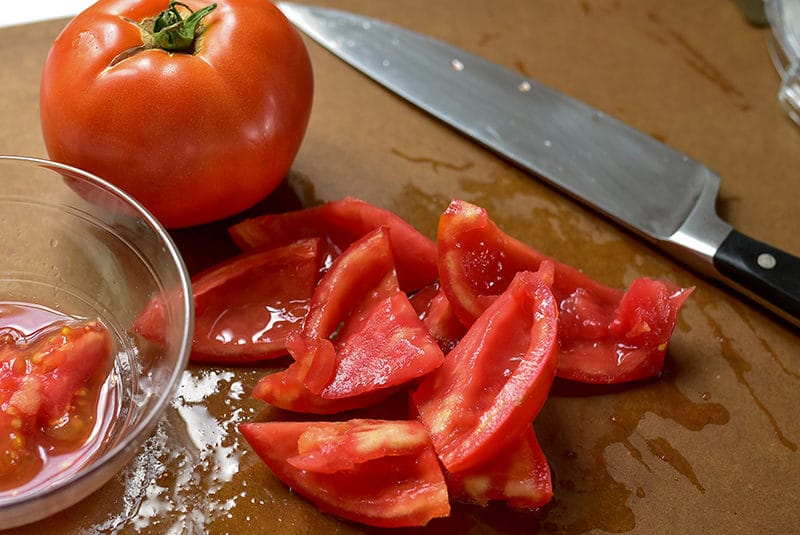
(196, 134)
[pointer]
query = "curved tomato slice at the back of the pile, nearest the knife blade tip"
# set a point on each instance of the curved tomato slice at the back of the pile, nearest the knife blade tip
(340, 223)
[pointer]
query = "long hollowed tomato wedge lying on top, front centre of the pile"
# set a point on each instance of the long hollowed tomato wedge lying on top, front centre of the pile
(493, 384)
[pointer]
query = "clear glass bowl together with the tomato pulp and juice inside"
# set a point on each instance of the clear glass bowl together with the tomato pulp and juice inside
(80, 261)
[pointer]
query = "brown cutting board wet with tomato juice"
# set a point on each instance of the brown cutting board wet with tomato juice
(710, 447)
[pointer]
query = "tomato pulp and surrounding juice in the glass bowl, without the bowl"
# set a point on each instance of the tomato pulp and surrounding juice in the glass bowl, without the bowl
(59, 395)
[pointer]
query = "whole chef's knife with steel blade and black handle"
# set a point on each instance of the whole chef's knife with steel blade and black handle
(661, 194)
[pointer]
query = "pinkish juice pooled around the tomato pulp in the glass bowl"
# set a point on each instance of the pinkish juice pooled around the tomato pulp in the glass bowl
(22, 324)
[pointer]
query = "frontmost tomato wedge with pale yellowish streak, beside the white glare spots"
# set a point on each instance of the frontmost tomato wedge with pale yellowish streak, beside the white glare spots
(384, 488)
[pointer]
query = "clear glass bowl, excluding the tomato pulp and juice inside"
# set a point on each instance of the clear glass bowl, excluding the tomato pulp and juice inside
(77, 245)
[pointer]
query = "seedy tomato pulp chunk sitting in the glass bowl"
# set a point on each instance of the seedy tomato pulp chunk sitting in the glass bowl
(49, 386)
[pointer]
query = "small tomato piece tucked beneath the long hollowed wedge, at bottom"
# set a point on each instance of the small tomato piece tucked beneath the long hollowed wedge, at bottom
(518, 475)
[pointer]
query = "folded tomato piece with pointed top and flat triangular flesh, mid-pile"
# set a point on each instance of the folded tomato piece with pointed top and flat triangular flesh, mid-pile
(361, 334)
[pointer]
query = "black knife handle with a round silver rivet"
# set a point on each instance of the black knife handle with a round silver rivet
(769, 275)
